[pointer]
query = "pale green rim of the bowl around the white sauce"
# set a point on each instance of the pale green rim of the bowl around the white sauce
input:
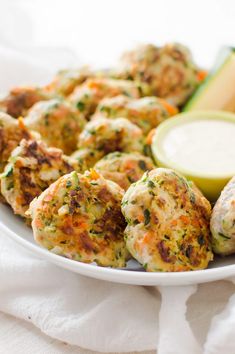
(180, 119)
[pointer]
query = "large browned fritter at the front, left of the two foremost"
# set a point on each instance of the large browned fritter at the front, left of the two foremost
(79, 217)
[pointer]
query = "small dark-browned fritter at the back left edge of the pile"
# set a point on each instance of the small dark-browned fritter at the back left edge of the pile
(21, 99)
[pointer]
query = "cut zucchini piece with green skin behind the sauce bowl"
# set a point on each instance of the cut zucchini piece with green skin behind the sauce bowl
(218, 90)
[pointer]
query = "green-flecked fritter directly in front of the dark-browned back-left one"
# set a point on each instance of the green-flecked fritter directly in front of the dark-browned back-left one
(58, 123)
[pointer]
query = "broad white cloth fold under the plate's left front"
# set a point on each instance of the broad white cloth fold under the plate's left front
(96, 315)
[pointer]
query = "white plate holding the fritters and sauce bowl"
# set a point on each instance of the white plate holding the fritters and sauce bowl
(14, 227)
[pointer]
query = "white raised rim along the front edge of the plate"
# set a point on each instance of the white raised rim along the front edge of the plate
(124, 276)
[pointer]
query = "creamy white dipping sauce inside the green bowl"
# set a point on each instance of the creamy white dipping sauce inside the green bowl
(203, 146)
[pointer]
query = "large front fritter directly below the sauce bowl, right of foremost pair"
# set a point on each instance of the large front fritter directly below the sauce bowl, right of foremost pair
(168, 223)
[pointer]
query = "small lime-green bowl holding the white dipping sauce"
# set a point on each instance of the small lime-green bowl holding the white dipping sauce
(210, 184)
